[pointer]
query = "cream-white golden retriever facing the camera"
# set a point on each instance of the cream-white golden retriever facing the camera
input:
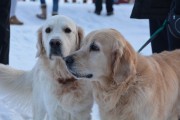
(55, 92)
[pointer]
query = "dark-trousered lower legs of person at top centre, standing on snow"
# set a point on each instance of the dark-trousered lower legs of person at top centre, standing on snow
(109, 7)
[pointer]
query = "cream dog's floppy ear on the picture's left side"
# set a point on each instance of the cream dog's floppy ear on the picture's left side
(39, 45)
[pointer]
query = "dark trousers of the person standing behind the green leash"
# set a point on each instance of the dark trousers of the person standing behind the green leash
(164, 40)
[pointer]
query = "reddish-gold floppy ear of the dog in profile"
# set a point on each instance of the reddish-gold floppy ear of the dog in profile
(123, 62)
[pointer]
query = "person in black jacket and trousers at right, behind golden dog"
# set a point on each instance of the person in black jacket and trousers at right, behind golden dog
(157, 11)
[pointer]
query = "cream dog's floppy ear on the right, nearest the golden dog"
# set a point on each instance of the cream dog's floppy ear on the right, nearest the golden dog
(80, 36)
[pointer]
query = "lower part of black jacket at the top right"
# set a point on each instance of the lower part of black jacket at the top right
(149, 9)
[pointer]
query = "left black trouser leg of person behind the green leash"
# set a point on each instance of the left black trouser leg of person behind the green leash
(160, 43)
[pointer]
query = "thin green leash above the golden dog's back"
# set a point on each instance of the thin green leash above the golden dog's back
(153, 36)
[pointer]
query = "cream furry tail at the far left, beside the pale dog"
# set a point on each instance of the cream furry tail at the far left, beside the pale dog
(16, 88)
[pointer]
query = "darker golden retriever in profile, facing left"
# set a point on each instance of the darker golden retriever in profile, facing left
(127, 85)
